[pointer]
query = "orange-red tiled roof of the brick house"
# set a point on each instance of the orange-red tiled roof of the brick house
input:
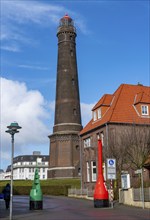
(121, 107)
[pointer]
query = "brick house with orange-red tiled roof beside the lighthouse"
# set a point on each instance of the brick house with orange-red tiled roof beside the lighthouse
(122, 121)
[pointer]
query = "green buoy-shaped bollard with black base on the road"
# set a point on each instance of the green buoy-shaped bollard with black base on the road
(36, 196)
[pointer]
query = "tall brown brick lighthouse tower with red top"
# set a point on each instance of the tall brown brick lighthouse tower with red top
(64, 142)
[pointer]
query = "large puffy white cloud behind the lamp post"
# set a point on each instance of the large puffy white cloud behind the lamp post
(30, 110)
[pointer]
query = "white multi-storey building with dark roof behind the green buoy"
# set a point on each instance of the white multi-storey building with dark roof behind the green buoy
(24, 167)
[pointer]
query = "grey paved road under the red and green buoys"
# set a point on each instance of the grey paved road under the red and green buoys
(64, 208)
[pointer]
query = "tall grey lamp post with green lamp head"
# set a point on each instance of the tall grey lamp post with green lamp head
(12, 129)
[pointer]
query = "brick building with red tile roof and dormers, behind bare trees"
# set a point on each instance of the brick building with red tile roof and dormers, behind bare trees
(113, 119)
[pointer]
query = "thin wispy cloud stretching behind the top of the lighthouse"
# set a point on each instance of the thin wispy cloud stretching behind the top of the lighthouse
(16, 15)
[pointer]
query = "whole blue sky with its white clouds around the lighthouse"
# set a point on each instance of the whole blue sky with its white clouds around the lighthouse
(112, 48)
